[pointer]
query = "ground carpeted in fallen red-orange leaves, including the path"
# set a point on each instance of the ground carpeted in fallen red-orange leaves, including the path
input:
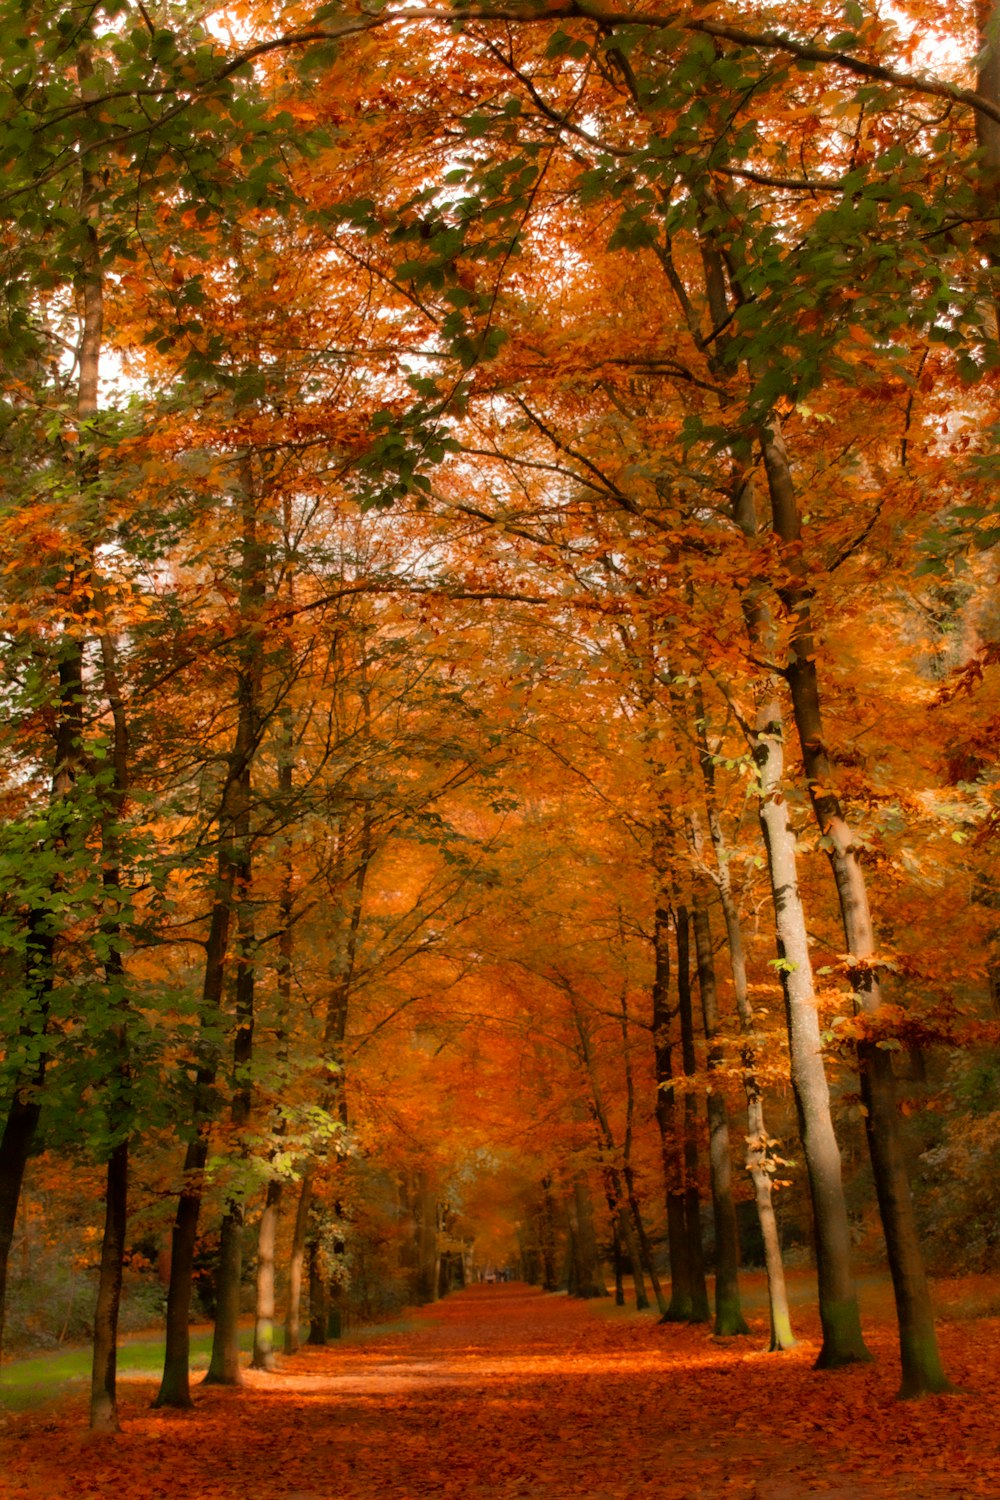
(510, 1394)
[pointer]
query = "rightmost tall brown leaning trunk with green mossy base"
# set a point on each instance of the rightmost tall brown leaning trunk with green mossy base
(923, 1372)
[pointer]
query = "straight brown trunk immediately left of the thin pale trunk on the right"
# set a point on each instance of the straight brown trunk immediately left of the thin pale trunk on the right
(729, 1318)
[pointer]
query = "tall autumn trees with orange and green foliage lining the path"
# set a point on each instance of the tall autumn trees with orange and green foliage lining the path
(497, 500)
